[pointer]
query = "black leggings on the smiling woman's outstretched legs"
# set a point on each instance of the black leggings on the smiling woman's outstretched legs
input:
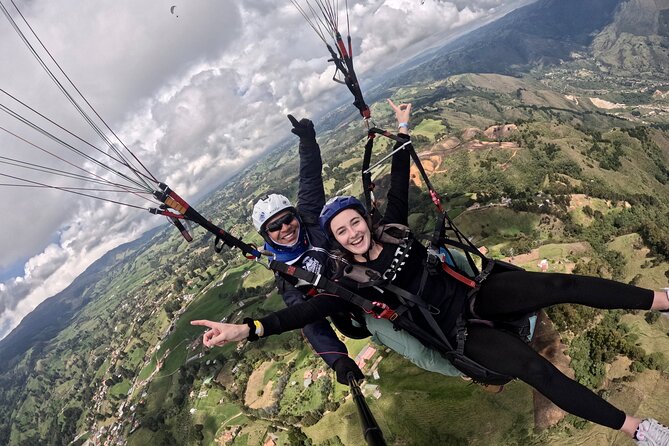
(512, 294)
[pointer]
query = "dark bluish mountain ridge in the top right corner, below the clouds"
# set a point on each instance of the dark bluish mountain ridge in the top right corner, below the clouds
(549, 32)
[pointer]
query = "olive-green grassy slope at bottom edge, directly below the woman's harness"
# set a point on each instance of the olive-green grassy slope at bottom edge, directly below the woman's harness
(419, 408)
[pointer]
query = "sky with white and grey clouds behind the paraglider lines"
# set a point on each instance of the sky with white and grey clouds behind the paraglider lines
(196, 92)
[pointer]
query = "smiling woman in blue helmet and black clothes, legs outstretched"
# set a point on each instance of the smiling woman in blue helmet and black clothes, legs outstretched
(503, 296)
